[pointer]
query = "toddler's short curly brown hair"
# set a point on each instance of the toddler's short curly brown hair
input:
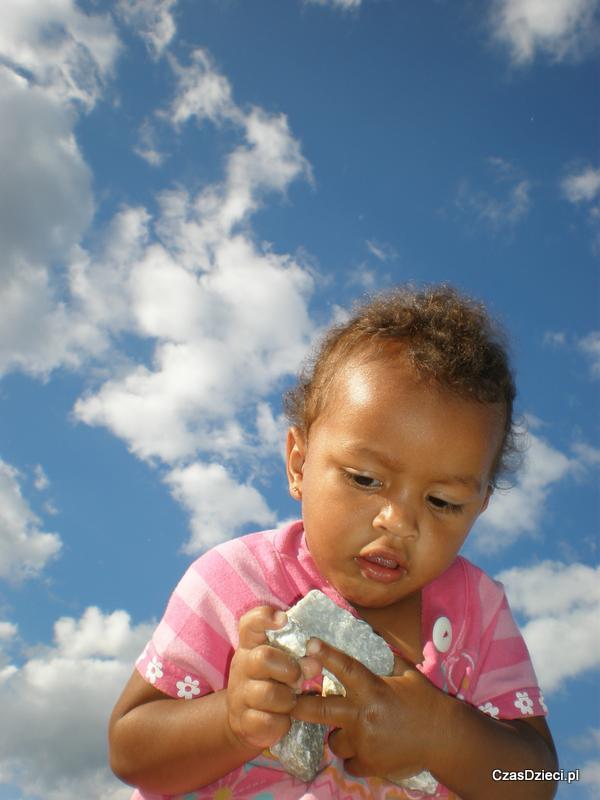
(447, 337)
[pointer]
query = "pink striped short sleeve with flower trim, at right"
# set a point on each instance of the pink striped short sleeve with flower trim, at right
(505, 685)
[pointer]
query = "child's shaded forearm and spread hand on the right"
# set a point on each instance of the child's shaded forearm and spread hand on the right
(400, 725)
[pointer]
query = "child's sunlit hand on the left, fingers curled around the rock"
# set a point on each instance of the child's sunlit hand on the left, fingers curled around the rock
(263, 681)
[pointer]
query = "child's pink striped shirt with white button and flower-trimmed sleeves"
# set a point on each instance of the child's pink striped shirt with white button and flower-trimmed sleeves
(472, 650)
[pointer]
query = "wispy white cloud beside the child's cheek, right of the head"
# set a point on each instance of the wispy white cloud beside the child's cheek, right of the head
(518, 511)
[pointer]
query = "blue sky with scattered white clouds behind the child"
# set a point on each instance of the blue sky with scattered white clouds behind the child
(191, 192)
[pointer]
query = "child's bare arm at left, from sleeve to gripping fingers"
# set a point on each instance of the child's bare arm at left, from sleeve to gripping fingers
(170, 746)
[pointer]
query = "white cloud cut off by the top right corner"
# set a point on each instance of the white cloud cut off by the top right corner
(560, 29)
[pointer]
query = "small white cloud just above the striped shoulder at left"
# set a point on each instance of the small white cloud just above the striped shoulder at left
(219, 506)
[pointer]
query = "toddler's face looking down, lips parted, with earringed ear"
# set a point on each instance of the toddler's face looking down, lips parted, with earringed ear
(394, 474)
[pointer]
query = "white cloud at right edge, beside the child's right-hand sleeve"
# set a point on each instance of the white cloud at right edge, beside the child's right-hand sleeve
(562, 606)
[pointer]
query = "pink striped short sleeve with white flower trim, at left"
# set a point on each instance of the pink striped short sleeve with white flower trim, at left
(191, 649)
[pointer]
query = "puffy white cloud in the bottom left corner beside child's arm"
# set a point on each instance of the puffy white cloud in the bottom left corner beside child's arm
(55, 708)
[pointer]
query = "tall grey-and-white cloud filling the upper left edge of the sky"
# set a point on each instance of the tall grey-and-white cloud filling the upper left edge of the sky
(55, 62)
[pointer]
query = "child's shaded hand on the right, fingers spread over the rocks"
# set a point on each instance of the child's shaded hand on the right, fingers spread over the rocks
(384, 724)
